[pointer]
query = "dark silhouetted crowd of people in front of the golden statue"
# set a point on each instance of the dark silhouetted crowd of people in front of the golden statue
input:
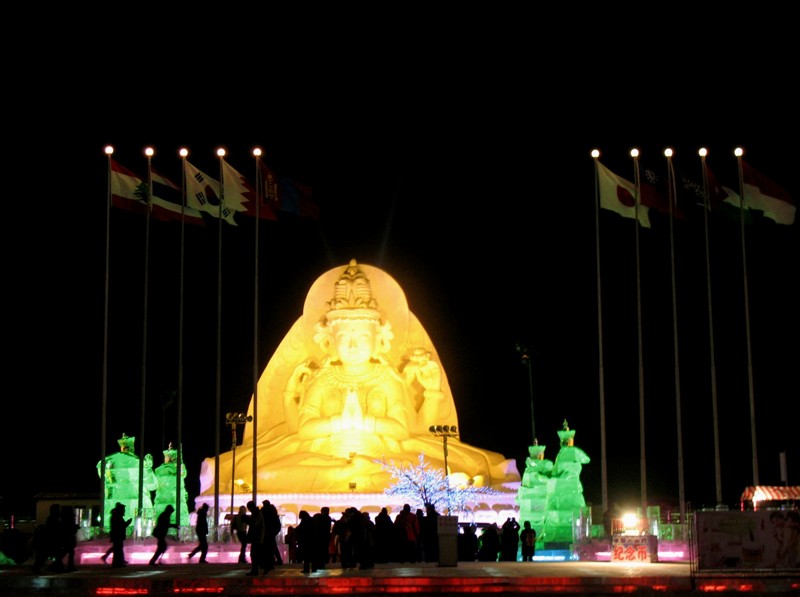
(354, 540)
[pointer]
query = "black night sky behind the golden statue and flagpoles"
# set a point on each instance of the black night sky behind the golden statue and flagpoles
(462, 168)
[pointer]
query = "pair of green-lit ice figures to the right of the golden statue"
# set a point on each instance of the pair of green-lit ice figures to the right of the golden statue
(551, 495)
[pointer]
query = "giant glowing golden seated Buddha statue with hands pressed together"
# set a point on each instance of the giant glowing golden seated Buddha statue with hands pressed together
(355, 380)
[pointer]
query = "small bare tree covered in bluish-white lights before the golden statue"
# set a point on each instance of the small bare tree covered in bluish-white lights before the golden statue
(421, 484)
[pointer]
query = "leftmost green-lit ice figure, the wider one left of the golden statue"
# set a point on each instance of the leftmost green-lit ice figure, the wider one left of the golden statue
(122, 482)
